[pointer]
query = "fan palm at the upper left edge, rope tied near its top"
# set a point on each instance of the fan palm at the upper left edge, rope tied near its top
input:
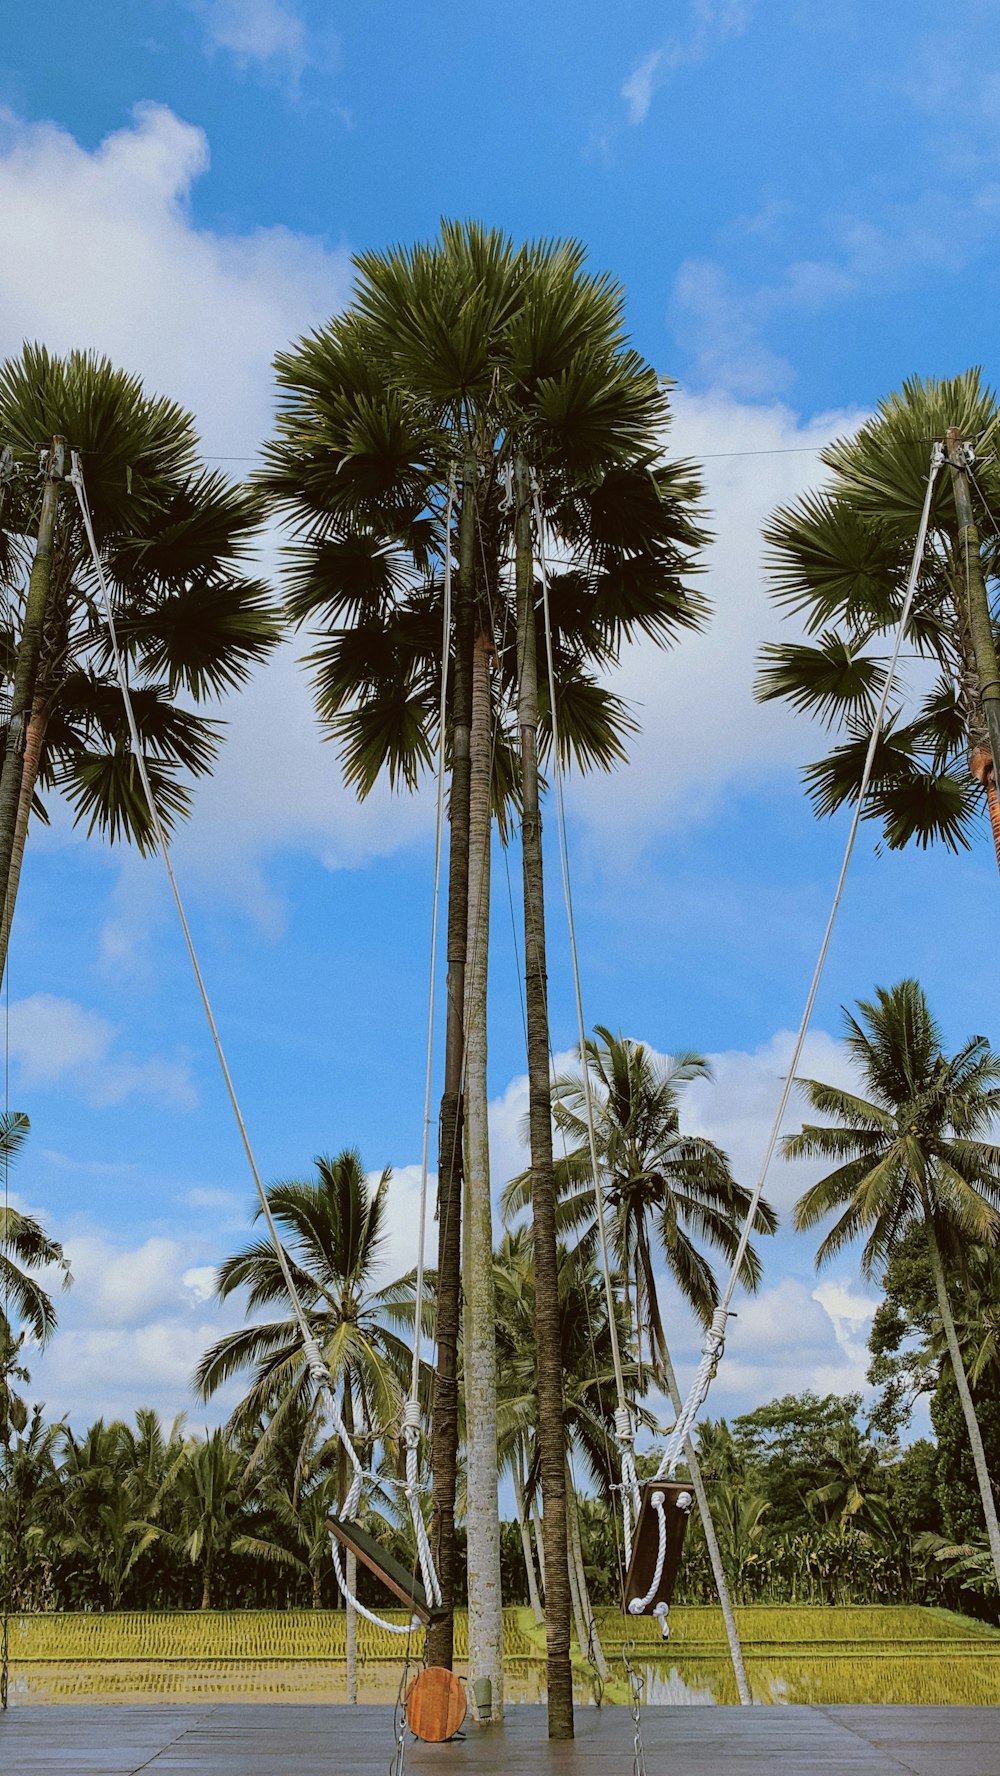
(193, 624)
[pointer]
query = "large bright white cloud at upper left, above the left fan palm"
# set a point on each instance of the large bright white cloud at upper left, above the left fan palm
(100, 251)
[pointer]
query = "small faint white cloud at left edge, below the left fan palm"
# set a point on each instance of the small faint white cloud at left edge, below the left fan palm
(56, 1042)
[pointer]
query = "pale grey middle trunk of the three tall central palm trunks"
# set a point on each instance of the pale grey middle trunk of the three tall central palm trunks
(479, 1322)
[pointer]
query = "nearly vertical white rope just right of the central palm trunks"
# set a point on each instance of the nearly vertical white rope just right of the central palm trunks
(623, 1416)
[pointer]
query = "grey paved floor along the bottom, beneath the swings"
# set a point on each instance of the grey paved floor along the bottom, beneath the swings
(294, 1740)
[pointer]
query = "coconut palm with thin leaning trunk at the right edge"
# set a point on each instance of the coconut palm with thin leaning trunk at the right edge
(912, 1152)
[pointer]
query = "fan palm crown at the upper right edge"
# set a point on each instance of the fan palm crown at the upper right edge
(839, 562)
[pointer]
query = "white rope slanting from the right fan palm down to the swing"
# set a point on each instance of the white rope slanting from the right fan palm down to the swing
(717, 1336)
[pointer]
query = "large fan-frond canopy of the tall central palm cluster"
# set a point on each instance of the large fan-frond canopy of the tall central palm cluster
(456, 358)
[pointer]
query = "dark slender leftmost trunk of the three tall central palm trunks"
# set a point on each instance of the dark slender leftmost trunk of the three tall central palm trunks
(445, 1407)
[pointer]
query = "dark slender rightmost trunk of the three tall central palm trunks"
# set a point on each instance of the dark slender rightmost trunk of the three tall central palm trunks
(548, 1328)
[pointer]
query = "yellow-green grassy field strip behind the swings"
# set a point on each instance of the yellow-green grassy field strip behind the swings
(793, 1654)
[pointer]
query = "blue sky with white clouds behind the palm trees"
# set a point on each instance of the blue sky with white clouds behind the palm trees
(804, 205)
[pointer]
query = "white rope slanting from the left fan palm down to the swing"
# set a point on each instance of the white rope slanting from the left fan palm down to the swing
(315, 1363)
